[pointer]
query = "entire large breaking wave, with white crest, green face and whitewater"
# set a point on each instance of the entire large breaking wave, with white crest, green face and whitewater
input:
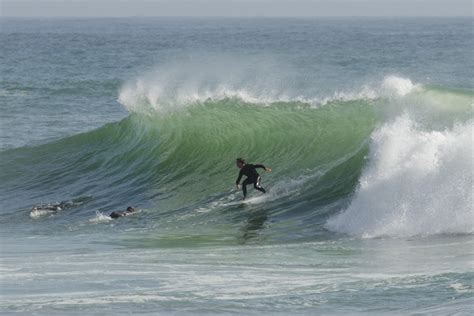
(389, 159)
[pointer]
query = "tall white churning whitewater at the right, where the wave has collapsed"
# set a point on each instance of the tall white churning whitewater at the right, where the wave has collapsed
(417, 183)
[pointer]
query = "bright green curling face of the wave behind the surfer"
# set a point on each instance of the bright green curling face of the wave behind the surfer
(198, 146)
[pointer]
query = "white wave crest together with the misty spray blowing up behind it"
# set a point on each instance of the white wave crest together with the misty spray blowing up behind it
(174, 86)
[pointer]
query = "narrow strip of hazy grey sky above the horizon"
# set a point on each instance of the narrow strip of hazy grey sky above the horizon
(121, 8)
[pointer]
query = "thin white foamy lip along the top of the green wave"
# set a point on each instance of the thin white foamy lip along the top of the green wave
(154, 95)
